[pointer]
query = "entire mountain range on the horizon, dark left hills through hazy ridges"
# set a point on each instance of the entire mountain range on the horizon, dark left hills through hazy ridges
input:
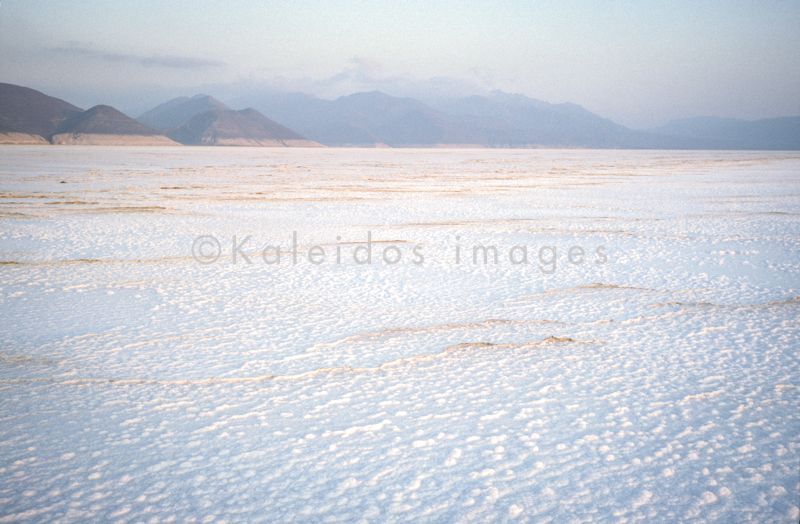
(371, 119)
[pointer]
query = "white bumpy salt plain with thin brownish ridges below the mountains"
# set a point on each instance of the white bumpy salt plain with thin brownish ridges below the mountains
(139, 385)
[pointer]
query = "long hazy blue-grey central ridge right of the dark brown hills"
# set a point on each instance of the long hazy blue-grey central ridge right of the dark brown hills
(497, 120)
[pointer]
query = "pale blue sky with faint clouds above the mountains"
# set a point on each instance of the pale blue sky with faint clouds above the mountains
(638, 63)
